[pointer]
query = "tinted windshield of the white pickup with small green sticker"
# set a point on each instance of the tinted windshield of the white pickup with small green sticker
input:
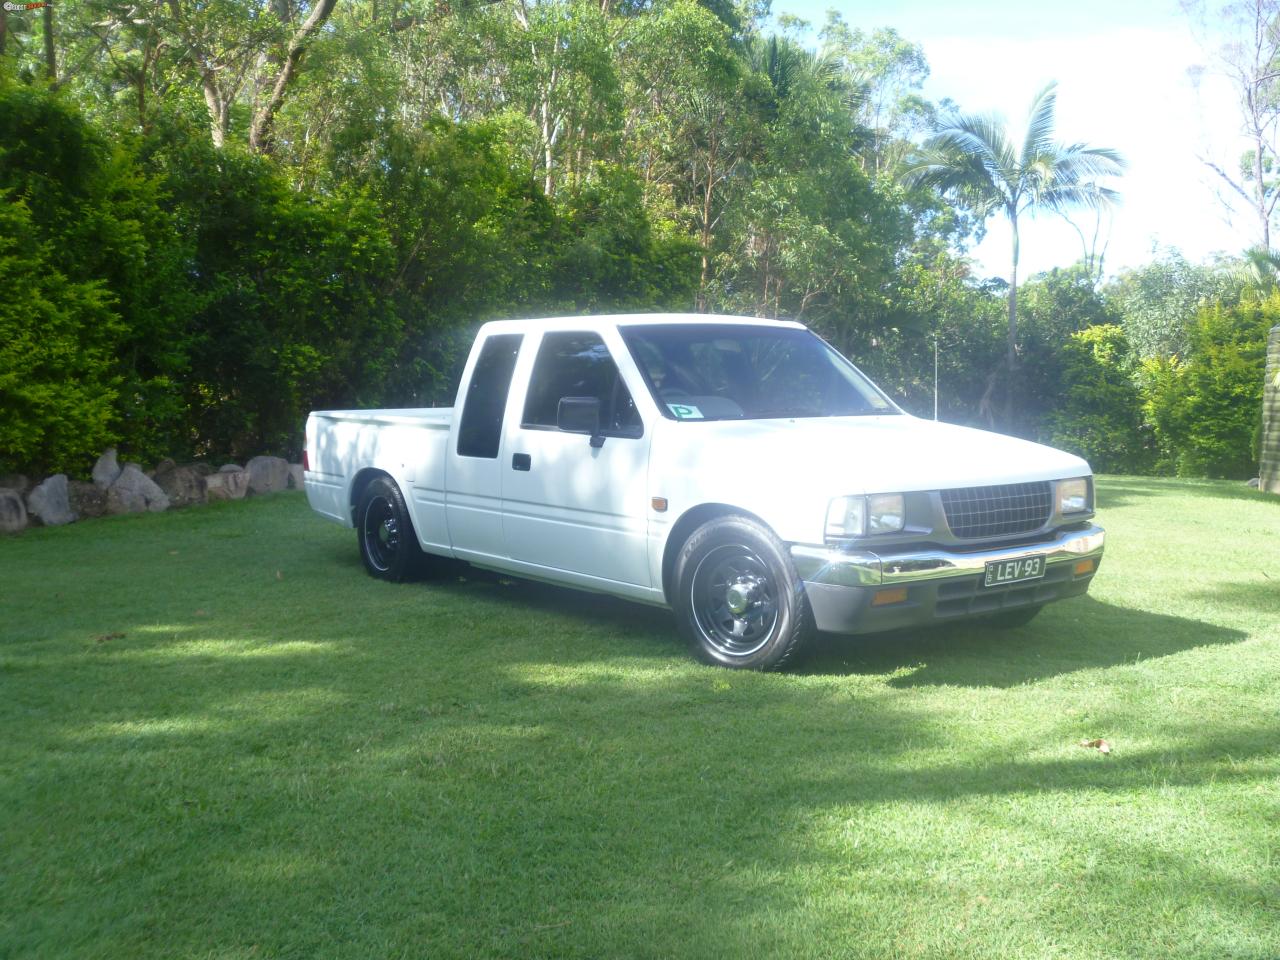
(726, 372)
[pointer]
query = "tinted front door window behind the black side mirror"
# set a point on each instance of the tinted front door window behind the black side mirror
(580, 365)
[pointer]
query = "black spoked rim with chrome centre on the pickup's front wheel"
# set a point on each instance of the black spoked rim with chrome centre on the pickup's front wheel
(735, 601)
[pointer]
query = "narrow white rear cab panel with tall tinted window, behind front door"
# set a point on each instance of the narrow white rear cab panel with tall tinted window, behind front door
(473, 504)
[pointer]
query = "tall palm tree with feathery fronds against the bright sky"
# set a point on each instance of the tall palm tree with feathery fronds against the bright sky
(973, 161)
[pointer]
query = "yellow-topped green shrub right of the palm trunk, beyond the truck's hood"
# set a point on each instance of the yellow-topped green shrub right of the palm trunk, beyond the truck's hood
(1100, 413)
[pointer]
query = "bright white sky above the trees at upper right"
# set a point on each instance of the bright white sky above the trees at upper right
(1122, 68)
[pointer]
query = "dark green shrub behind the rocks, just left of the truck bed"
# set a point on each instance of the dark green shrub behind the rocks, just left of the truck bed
(292, 310)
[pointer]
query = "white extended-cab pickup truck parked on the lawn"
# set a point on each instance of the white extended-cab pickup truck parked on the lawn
(740, 472)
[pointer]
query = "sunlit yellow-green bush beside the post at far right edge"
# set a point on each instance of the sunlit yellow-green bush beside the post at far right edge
(1206, 409)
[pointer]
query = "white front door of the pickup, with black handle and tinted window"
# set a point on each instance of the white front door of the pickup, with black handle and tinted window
(570, 505)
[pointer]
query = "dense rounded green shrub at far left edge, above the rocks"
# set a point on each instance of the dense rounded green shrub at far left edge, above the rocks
(113, 287)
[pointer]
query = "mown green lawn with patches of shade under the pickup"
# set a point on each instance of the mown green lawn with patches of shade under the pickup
(221, 739)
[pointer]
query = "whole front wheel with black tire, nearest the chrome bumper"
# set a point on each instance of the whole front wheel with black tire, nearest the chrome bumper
(739, 601)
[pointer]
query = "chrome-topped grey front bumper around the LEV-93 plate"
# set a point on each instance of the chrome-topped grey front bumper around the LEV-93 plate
(941, 584)
